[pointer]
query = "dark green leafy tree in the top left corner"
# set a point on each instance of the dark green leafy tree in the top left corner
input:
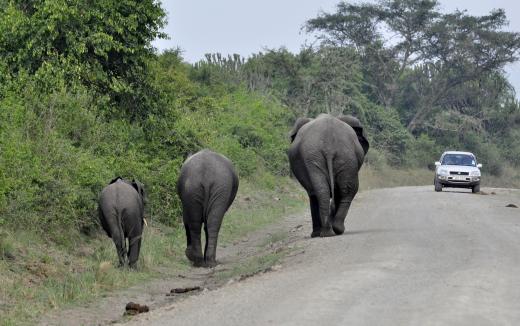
(102, 44)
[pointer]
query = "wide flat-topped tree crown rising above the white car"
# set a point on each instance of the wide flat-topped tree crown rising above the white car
(396, 36)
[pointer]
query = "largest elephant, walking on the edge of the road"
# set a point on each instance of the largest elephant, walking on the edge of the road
(325, 156)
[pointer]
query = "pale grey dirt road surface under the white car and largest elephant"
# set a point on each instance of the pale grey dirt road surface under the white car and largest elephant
(410, 257)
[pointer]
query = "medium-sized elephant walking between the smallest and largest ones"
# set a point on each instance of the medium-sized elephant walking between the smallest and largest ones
(207, 186)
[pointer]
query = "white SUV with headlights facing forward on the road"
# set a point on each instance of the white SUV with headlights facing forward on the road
(457, 170)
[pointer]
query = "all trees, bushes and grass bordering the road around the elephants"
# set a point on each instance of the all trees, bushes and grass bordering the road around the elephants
(84, 98)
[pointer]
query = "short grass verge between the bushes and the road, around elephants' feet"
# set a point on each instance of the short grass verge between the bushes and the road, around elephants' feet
(36, 276)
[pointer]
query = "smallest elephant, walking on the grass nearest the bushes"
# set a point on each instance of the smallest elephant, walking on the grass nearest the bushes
(121, 213)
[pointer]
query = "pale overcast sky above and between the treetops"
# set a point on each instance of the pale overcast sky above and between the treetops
(247, 26)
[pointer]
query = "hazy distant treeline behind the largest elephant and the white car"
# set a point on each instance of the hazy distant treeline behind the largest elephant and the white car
(422, 81)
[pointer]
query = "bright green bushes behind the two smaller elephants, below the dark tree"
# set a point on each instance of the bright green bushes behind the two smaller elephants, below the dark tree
(59, 149)
